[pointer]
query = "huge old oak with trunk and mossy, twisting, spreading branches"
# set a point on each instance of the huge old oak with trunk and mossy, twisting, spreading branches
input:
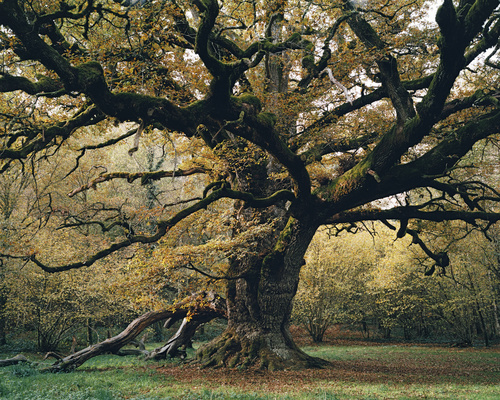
(311, 113)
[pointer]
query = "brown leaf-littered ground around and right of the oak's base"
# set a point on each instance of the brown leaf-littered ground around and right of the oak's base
(357, 363)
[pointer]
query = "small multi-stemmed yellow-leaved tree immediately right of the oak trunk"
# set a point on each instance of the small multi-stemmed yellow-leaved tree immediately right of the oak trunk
(333, 285)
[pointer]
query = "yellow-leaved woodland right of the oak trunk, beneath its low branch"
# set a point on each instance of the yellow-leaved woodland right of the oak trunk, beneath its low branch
(386, 288)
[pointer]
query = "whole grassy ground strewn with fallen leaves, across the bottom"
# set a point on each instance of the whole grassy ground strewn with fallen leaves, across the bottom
(357, 372)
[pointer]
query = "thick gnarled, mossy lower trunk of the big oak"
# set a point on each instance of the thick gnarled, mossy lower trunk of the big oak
(260, 305)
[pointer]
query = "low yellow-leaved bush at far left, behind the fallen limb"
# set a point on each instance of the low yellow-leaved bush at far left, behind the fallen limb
(57, 308)
